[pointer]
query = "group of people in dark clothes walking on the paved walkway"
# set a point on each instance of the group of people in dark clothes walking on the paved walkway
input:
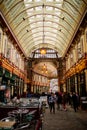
(62, 99)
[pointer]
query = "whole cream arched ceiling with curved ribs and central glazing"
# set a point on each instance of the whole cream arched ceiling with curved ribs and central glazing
(44, 23)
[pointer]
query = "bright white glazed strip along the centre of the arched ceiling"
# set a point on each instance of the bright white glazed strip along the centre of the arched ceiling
(46, 19)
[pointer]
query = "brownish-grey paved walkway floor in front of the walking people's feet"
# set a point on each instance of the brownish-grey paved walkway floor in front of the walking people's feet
(65, 120)
